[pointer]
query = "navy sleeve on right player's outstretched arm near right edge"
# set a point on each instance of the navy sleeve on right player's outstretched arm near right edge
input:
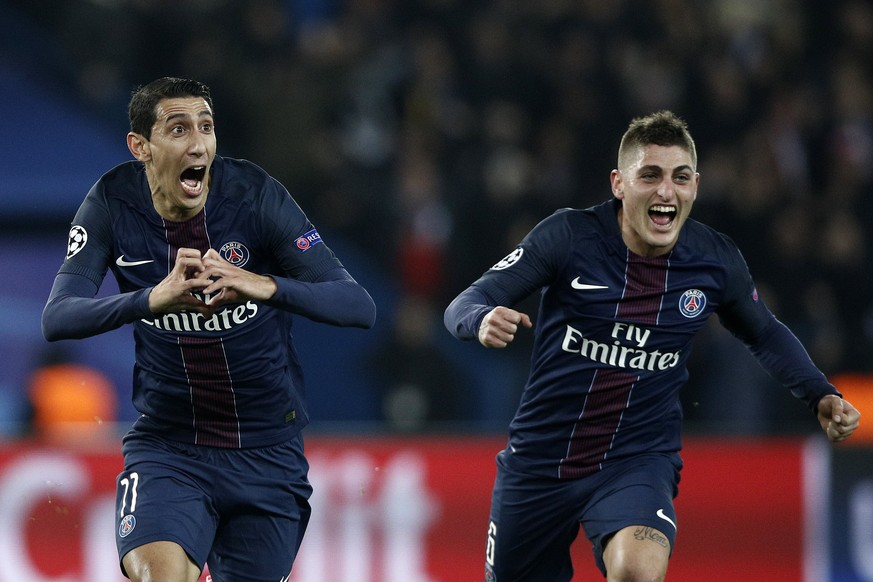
(772, 344)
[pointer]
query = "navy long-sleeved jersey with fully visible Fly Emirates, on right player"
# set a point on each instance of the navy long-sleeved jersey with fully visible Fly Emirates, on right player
(614, 333)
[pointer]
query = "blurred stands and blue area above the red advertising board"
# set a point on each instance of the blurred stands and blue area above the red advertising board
(424, 138)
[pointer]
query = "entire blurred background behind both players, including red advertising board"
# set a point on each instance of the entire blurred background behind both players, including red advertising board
(424, 138)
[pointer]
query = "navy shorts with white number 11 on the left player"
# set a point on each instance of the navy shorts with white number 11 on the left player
(242, 511)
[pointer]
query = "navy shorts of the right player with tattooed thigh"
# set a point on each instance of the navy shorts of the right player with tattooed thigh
(534, 520)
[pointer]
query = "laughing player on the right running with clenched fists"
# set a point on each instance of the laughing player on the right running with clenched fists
(624, 286)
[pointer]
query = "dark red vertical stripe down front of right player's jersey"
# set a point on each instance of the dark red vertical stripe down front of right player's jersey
(610, 390)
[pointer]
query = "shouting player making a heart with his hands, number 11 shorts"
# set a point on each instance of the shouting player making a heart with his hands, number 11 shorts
(213, 258)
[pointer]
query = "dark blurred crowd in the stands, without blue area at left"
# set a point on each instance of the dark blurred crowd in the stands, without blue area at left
(435, 133)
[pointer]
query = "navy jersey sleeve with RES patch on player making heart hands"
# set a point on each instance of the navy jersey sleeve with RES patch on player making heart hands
(315, 283)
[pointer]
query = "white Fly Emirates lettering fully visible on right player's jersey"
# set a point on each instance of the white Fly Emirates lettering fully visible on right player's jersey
(627, 351)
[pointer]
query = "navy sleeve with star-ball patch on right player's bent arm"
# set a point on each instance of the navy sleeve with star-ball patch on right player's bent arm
(532, 265)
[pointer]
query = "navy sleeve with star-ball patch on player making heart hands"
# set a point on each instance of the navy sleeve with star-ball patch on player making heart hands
(73, 311)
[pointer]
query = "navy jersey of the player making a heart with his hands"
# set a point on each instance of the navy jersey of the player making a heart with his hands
(232, 380)
